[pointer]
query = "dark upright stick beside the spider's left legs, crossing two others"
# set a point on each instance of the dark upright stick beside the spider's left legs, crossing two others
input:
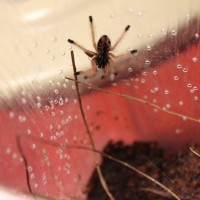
(101, 178)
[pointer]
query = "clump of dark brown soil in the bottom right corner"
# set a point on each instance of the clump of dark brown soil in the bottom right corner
(179, 171)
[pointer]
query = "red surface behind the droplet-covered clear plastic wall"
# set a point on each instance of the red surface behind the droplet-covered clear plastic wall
(110, 118)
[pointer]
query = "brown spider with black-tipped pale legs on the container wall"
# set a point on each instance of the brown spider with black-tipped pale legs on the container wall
(102, 58)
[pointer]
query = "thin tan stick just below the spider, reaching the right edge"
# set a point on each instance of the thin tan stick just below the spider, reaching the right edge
(139, 100)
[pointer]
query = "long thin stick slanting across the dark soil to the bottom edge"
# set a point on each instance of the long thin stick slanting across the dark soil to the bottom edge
(66, 146)
